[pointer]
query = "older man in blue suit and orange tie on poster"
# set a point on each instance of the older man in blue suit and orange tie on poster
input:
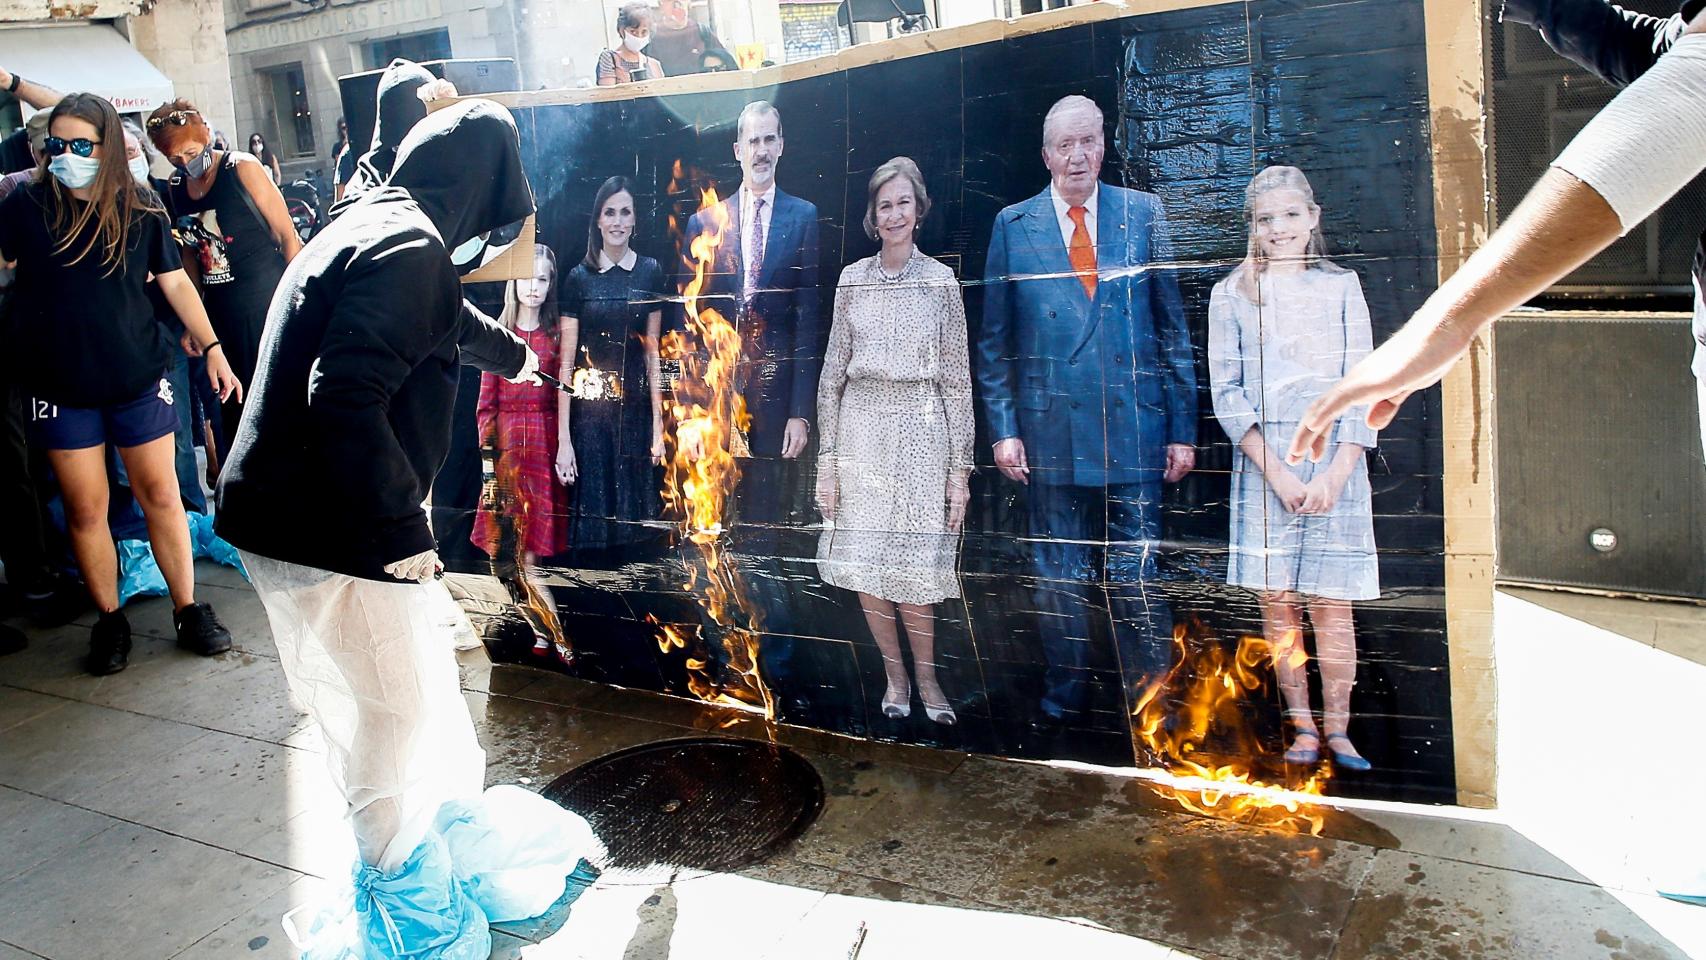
(1089, 390)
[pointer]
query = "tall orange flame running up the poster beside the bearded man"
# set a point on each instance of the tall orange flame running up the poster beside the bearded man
(709, 424)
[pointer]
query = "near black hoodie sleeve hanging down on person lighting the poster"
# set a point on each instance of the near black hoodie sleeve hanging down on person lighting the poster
(373, 344)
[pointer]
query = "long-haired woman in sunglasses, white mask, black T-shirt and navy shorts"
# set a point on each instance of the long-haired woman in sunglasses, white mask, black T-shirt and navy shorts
(93, 359)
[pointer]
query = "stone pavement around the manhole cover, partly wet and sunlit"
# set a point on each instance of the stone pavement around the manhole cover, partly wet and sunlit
(178, 809)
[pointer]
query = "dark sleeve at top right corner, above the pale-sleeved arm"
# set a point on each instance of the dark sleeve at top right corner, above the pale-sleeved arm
(1601, 37)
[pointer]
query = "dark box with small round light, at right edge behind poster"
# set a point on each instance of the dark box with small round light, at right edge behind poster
(1601, 483)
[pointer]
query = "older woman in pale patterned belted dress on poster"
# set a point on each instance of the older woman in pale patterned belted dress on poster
(897, 439)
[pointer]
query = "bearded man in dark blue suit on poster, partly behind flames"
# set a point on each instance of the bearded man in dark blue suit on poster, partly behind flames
(765, 279)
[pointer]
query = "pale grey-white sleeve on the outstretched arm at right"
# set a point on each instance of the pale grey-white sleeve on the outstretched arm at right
(1649, 142)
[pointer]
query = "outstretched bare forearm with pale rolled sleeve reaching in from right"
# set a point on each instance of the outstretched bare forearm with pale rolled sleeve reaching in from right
(1639, 153)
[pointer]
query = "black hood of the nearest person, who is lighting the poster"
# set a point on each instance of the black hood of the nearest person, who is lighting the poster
(463, 166)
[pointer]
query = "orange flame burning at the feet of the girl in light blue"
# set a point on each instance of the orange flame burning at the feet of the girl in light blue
(1195, 724)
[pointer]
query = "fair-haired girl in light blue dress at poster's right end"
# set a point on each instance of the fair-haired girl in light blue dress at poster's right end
(1284, 328)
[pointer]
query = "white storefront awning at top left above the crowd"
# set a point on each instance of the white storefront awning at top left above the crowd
(84, 57)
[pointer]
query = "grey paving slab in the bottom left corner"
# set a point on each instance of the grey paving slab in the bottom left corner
(156, 894)
